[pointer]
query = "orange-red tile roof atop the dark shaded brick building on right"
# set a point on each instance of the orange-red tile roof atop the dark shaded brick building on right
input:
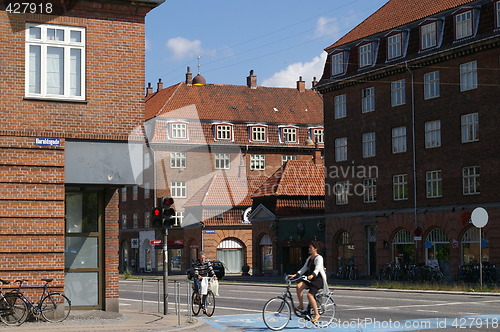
(396, 13)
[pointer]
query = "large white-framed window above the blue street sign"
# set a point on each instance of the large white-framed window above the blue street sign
(55, 61)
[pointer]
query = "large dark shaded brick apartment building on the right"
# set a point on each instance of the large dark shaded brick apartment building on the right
(411, 100)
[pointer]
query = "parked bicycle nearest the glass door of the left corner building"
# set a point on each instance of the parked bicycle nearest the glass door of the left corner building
(52, 306)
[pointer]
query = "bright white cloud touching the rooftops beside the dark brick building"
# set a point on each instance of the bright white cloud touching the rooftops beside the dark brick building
(288, 77)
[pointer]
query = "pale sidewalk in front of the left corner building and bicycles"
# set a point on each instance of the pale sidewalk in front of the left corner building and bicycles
(126, 320)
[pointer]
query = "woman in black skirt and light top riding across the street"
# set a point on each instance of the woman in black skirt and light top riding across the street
(316, 279)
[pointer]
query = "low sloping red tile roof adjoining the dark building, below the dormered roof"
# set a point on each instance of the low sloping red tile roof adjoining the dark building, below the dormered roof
(295, 178)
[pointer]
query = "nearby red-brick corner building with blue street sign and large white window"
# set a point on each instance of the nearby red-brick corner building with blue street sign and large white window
(67, 112)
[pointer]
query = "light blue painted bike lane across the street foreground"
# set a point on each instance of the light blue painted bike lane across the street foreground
(254, 323)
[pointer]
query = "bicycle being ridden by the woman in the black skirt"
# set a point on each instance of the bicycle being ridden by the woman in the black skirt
(277, 311)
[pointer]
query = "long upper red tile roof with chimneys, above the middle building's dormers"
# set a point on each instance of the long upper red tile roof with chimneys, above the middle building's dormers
(239, 103)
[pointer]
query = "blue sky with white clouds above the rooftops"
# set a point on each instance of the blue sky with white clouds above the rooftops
(279, 39)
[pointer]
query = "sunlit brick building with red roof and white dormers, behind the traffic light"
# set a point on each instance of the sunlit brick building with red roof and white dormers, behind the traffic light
(211, 146)
